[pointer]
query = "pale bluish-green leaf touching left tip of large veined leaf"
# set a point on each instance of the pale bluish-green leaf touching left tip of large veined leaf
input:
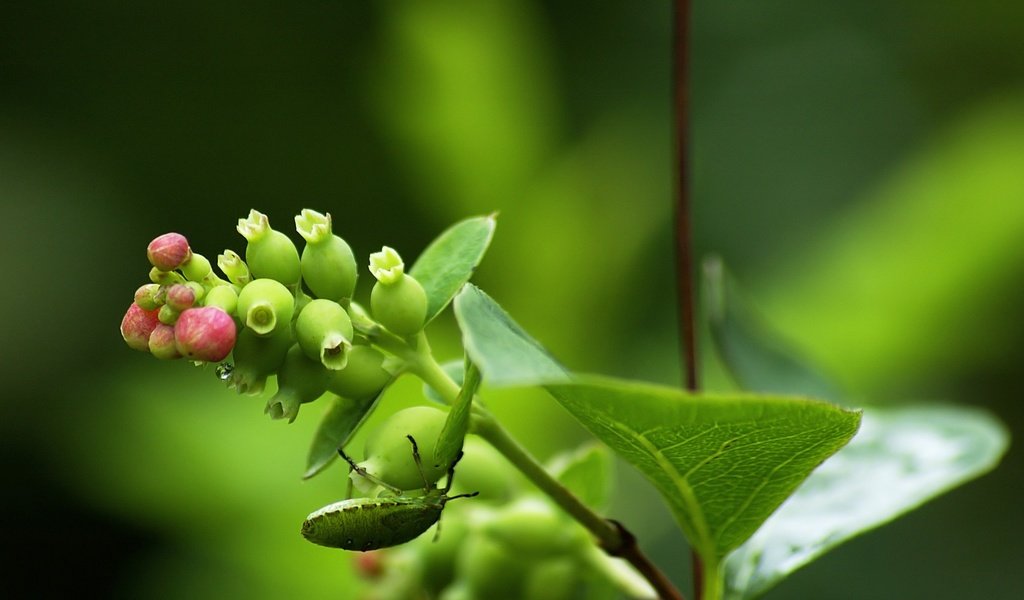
(504, 353)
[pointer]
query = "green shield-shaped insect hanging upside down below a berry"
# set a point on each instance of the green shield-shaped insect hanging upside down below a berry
(369, 524)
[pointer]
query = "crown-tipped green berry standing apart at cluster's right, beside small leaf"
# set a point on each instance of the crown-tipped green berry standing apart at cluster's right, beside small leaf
(398, 301)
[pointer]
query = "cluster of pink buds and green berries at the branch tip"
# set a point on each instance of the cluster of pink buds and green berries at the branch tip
(280, 313)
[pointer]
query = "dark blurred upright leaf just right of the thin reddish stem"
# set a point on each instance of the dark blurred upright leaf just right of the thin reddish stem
(754, 355)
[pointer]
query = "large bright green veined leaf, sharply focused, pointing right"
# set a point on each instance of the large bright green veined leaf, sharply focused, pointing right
(723, 463)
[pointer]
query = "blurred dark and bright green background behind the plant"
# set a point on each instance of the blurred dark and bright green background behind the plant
(860, 165)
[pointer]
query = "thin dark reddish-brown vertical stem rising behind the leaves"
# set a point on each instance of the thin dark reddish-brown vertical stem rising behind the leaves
(685, 241)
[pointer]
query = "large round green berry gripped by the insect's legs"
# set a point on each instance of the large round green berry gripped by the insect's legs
(390, 455)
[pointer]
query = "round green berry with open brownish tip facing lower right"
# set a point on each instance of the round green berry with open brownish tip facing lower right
(325, 333)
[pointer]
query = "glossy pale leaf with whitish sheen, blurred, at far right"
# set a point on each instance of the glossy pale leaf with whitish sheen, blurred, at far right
(903, 458)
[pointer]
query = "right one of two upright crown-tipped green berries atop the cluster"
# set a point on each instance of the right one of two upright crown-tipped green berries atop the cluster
(328, 263)
